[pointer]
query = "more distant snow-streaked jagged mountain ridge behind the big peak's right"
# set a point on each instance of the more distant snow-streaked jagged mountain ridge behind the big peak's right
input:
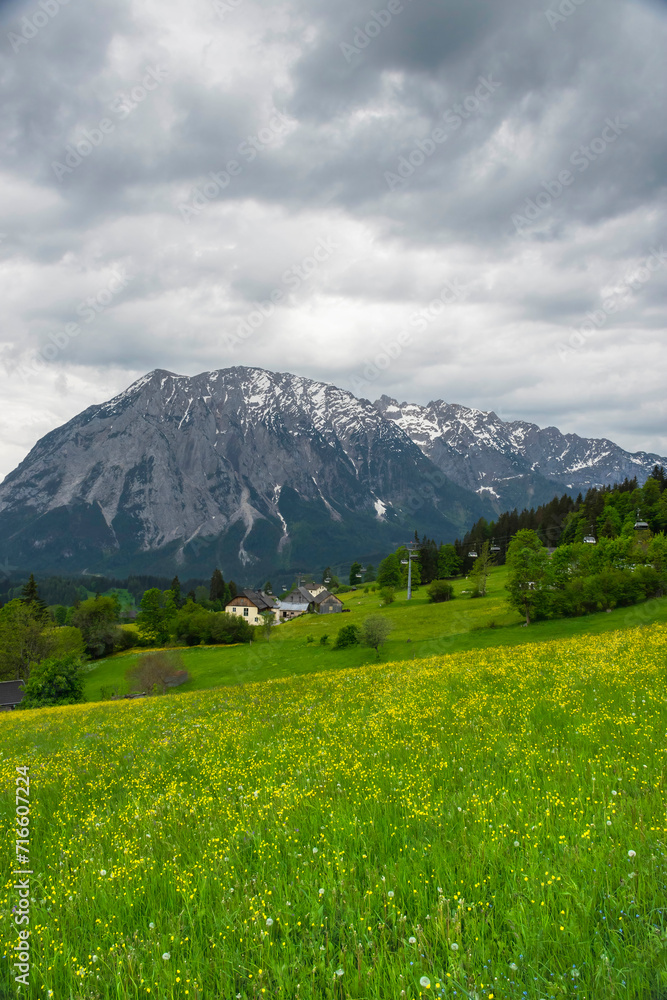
(514, 464)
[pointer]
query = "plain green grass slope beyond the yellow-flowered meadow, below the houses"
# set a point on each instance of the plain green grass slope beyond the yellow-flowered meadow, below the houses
(420, 629)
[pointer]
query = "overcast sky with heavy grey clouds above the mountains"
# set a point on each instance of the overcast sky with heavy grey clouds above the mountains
(432, 199)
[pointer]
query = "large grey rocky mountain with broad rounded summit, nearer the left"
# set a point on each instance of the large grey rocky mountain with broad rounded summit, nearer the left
(253, 471)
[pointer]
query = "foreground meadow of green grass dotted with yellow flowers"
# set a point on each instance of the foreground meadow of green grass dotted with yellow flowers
(488, 824)
